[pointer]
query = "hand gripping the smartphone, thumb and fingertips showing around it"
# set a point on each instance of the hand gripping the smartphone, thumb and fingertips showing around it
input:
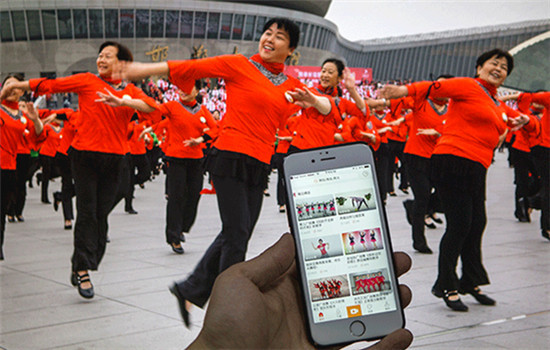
(257, 304)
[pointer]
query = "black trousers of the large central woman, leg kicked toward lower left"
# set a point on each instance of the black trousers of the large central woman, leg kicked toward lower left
(239, 204)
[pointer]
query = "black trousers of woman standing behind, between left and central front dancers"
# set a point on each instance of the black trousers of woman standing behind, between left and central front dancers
(184, 184)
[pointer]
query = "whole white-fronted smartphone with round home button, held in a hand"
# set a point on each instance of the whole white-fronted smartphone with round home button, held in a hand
(343, 247)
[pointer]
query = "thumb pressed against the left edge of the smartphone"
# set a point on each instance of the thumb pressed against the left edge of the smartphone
(271, 264)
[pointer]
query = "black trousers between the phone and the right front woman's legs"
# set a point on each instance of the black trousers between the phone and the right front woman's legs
(419, 169)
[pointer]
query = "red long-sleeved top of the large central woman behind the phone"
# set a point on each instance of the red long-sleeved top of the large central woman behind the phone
(256, 107)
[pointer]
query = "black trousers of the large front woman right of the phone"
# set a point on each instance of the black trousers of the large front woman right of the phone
(461, 184)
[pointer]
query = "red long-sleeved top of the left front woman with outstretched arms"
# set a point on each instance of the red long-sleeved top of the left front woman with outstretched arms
(100, 128)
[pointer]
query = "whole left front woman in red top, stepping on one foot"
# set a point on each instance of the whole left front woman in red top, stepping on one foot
(96, 152)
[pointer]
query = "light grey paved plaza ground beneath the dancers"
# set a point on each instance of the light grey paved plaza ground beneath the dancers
(133, 308)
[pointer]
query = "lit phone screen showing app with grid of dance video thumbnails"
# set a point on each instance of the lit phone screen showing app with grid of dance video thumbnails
(345, 253)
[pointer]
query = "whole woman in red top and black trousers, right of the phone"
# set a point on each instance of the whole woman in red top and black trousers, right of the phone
(475, 123)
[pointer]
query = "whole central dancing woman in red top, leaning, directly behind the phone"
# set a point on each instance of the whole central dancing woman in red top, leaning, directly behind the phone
(259, 100)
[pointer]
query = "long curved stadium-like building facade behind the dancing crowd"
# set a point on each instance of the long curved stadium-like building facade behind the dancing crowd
(61, 37)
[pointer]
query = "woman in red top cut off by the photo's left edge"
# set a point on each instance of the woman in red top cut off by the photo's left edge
(14, 125)
